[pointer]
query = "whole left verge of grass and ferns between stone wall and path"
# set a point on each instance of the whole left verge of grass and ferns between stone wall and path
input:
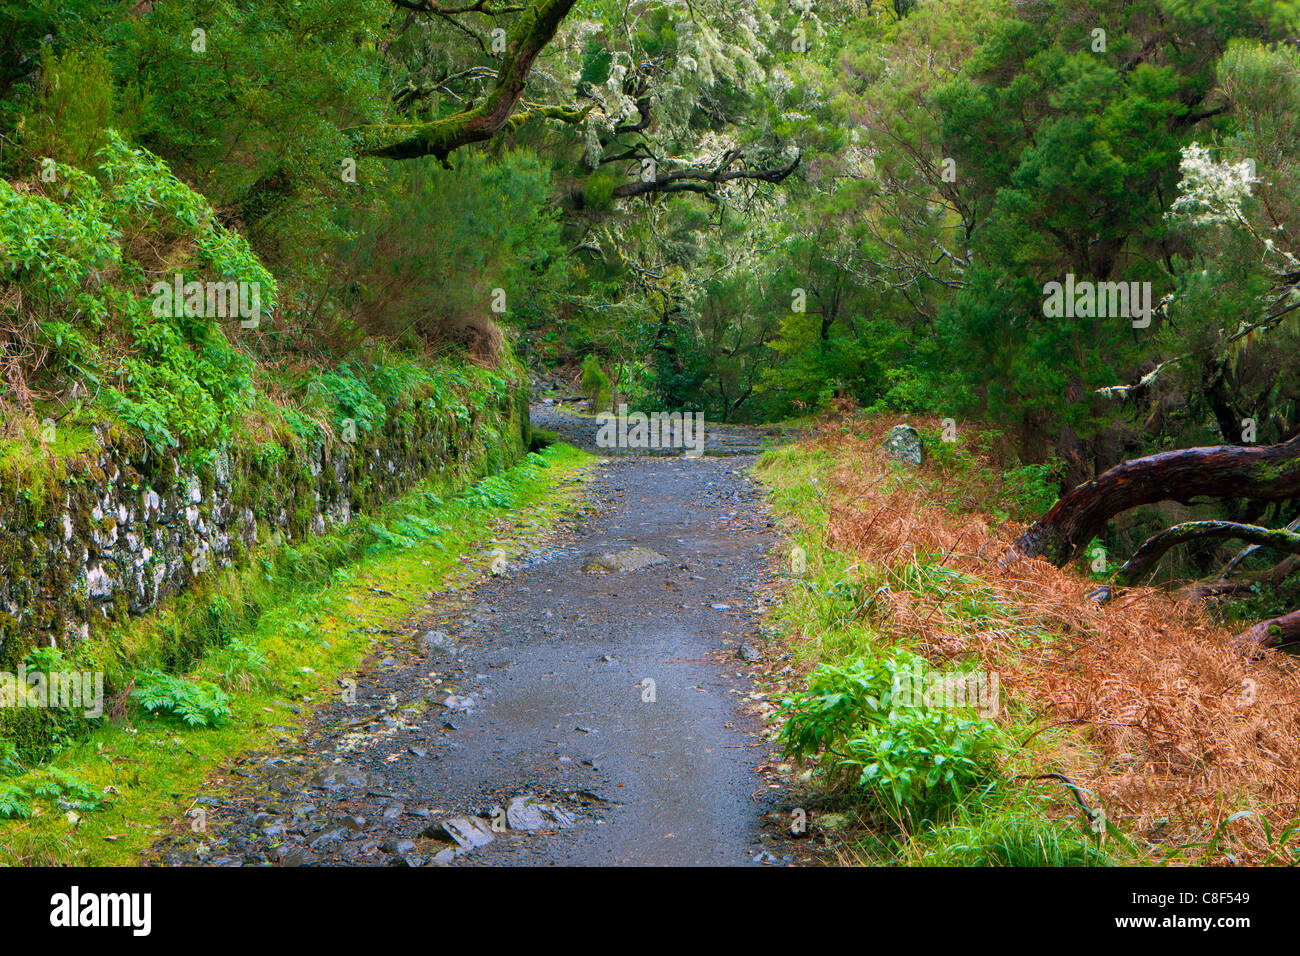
(263, 647)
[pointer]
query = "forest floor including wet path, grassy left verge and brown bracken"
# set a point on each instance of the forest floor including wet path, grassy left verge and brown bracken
(588, 676)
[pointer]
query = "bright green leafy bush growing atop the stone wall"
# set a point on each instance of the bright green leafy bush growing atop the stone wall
(85, 254)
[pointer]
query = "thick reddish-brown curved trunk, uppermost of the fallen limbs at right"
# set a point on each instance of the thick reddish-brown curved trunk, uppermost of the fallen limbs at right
(1220, 471)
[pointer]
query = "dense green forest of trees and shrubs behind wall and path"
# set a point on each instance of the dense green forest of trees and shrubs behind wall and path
(1068, 227)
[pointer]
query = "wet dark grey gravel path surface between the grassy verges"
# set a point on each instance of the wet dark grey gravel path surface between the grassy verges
(552, 715)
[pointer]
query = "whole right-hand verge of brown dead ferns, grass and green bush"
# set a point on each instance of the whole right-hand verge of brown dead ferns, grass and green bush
(1129, 733)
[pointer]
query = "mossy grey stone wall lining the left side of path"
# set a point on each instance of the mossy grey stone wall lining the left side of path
(124, 527)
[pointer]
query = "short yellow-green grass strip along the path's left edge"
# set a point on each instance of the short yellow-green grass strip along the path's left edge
(281, 657)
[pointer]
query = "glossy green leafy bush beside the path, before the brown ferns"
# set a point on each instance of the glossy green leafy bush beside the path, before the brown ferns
(912, 762)
